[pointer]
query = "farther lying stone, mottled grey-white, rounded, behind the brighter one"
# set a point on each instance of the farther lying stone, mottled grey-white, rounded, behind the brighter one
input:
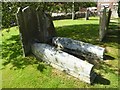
(88, 51)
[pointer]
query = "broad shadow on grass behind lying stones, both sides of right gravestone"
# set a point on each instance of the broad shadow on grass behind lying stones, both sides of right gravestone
(88, 33)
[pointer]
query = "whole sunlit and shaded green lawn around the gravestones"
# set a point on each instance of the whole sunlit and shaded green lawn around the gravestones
(28, 72)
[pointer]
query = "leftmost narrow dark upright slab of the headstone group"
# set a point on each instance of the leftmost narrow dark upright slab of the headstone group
(24, 34)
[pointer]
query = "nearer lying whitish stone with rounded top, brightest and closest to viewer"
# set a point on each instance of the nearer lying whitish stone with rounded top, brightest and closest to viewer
(64, 61)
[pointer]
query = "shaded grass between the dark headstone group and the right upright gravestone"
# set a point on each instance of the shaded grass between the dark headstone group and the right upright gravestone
(83, 32)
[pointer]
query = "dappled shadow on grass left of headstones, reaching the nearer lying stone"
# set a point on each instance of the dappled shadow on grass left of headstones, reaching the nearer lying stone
(12, 54)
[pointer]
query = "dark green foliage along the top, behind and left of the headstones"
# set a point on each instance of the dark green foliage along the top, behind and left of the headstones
(9, 9)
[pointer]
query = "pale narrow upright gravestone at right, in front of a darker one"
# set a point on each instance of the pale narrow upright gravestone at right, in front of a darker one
(102, 24)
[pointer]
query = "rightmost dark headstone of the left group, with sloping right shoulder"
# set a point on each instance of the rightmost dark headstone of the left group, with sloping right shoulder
(45, 26)
